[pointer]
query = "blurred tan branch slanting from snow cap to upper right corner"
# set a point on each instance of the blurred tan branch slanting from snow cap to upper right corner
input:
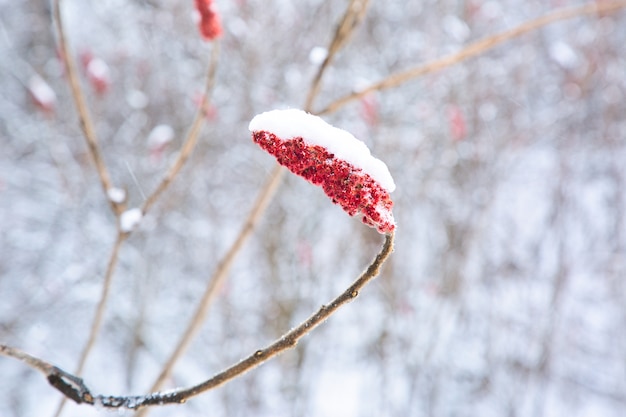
(477, 48)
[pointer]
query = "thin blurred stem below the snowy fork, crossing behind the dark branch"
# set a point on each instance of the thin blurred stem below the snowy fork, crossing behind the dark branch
(96, 324)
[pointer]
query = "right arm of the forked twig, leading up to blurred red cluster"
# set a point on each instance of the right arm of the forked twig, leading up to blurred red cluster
(192, 137)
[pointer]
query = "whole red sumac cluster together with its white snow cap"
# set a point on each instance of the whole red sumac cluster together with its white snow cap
(332, 159)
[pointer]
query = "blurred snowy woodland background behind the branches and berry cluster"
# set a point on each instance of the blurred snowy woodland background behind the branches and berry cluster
(506, 293)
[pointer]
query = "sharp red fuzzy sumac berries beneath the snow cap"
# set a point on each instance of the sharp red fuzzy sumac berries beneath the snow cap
(354, 190)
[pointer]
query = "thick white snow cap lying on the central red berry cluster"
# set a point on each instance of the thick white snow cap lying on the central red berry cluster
(292, 123)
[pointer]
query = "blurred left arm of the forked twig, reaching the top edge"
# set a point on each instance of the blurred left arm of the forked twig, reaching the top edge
(86, 123)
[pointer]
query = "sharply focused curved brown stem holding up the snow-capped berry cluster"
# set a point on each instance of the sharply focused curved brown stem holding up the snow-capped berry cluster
(74, 388)
